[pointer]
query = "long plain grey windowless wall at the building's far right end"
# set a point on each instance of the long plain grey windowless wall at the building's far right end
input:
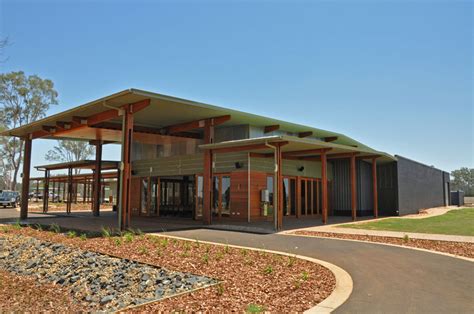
(419, 186)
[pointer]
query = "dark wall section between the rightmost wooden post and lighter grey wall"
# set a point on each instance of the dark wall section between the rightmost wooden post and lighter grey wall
(387, 189)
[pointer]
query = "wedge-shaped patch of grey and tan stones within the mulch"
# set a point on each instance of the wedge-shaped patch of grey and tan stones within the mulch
(95, 280)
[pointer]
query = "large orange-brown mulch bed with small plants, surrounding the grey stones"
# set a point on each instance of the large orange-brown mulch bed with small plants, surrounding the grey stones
(249, 280)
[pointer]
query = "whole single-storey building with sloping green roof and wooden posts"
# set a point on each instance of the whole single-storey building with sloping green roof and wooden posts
(186, 159)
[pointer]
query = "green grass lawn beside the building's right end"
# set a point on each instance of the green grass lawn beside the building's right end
(455, 222)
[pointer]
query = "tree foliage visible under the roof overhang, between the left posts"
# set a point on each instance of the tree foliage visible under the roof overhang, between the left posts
(67, 151)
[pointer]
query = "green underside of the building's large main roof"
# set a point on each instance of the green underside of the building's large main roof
(167, 110)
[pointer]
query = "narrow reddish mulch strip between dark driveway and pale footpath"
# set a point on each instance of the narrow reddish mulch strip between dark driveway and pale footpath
(456, 248)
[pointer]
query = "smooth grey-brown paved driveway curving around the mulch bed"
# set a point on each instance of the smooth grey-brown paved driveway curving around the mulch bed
(386, 279)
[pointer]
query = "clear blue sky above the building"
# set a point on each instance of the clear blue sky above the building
(396, 75)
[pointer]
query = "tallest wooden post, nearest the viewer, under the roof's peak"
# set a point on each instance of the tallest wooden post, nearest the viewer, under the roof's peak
(126, 175)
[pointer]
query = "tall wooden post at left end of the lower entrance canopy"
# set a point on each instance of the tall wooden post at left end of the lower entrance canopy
(207, 175)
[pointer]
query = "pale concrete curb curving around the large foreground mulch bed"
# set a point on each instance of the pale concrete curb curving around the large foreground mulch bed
(339, 295)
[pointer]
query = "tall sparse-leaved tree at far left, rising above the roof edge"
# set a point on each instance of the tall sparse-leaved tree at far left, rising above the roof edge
(23, 99)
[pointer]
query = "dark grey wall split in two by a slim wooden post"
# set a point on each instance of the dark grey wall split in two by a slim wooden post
(341, 193)
